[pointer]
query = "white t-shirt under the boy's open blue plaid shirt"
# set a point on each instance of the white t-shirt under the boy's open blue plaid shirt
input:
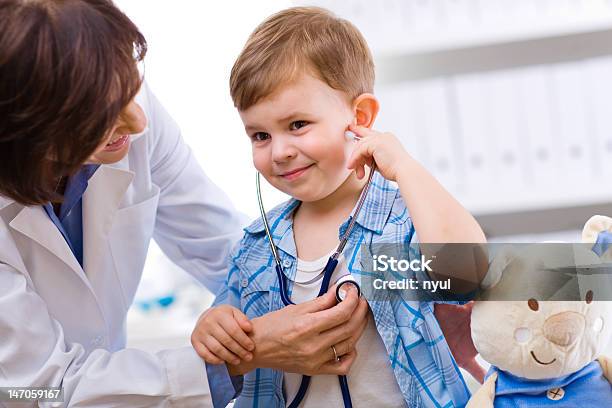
(371, 380)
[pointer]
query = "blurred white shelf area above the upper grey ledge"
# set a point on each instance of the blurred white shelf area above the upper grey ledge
(394, 27)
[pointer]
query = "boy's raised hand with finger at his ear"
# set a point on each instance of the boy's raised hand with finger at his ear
(383, 148)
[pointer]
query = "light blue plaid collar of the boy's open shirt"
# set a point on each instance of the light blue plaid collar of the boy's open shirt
(373, 216)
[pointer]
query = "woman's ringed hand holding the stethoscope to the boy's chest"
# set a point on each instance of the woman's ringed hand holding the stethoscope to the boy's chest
(299, 338)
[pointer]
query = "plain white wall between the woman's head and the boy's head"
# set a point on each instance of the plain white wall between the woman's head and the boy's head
(192, 47)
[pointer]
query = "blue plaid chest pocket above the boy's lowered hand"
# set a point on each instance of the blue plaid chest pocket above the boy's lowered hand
(255, 292)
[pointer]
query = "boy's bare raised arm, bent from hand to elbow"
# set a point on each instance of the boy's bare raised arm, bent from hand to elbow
(438, 218)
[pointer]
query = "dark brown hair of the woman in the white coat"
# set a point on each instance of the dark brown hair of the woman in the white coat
(67, 70)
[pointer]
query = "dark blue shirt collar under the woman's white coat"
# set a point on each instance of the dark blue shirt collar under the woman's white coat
(70, 219)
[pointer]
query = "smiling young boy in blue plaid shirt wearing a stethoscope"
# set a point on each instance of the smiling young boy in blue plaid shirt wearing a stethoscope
(302, 80)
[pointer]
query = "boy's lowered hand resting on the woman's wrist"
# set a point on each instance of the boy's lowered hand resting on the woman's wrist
(221, 336)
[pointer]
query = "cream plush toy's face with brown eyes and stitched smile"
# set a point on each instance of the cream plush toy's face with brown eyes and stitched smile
(541, 340)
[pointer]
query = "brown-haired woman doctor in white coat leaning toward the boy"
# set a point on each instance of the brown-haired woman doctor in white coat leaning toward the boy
(91, 168)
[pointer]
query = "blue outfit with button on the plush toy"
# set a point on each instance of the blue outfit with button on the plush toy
(585, 388)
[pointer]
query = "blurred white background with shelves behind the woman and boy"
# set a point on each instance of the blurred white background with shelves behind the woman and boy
(505, 101)
